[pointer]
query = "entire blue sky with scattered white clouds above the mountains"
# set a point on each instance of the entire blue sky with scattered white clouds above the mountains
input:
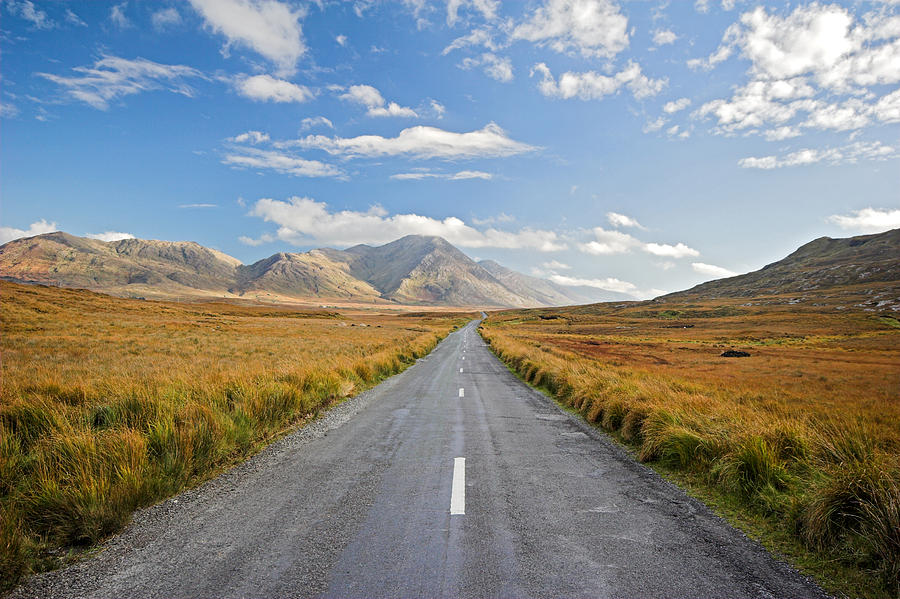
(637, 147)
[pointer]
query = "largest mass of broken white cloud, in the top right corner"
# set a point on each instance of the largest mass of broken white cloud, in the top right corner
(817, 67)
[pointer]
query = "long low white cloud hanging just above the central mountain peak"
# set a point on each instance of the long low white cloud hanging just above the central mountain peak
(302, 221)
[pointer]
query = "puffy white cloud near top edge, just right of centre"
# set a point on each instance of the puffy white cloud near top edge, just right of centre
(595, 28)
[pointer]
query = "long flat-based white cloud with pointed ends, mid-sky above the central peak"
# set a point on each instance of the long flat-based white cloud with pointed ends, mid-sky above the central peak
(422, 142)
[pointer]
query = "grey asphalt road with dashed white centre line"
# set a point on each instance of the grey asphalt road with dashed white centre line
(451, 479)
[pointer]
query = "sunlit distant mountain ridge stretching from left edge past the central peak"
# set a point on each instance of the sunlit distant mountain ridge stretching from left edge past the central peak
(415, 269)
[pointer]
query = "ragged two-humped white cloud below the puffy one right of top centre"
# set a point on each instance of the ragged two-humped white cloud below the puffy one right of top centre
(591, 85)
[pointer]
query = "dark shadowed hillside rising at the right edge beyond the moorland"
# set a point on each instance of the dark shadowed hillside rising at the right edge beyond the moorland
(820, 264)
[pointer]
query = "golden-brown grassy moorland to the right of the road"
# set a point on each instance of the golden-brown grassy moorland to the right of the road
(799, 443)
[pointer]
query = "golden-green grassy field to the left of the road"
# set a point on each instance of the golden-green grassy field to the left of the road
(108, 405)
